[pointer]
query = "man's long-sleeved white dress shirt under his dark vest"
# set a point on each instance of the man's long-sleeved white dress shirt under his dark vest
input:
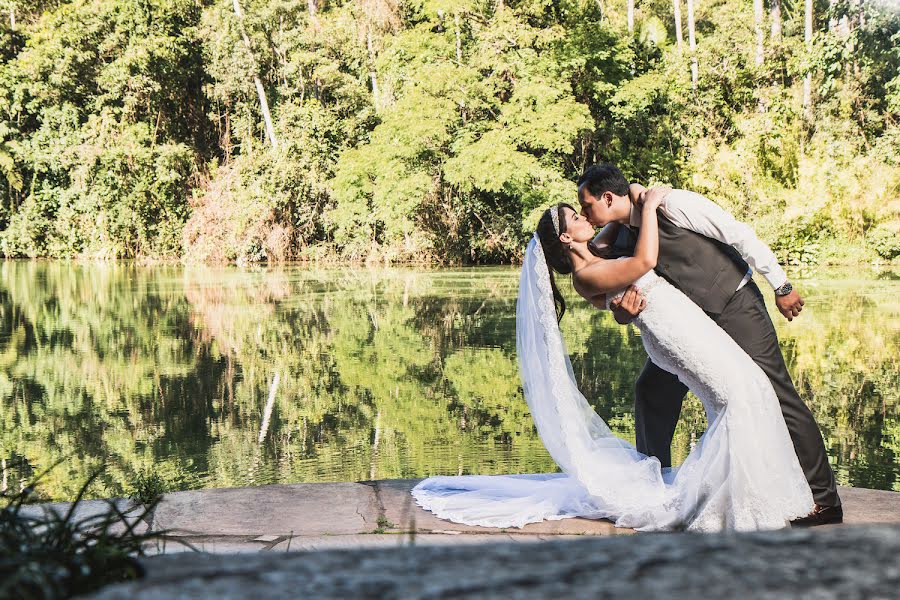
(697, 213)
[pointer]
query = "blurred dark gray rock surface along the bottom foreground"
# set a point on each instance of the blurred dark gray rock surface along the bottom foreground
(841, 562)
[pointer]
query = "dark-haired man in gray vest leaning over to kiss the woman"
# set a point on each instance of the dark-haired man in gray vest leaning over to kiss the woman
(708, 255)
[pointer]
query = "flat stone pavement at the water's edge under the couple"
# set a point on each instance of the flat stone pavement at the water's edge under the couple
(329, 516)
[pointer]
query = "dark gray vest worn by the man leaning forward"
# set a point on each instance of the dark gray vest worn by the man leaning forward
(706, 270)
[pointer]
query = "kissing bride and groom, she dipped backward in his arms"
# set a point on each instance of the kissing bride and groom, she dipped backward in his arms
(678, 267)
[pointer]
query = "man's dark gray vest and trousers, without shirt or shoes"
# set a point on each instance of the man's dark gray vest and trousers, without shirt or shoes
(708, 272)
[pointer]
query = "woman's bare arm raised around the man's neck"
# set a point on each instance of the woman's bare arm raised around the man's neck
(603, 277)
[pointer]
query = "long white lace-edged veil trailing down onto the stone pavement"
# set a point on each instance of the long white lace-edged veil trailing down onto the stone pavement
(604, 476)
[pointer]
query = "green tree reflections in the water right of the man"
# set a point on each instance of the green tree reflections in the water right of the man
(844, 359)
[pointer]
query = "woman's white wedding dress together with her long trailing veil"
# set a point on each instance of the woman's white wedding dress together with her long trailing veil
(743, 474)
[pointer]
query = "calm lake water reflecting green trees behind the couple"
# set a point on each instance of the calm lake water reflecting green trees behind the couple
(215, 377)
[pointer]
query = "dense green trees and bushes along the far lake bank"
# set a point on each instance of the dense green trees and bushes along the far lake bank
(435, 130)
